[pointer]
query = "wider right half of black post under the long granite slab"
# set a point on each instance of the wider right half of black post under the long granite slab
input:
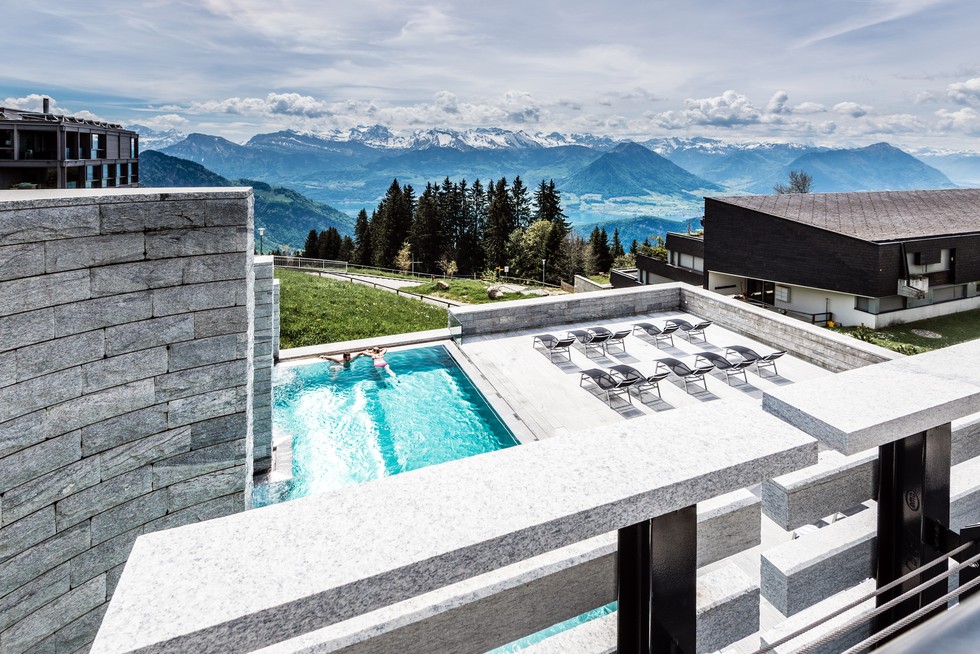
(674, 585)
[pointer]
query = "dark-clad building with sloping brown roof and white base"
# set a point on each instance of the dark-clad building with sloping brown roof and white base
(866, 258)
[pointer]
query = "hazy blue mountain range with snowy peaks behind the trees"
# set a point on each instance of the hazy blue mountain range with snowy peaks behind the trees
(601, 180)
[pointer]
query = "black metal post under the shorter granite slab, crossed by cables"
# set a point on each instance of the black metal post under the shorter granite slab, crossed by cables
(913, 493)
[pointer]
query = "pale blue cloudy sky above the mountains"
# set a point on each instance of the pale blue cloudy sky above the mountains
(835, 72)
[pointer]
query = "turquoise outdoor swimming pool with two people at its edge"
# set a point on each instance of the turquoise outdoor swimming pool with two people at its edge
(355, 424)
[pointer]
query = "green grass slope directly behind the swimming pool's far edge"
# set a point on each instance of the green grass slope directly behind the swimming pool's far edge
(315, 311)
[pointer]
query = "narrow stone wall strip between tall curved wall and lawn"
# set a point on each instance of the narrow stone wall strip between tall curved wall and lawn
(266, 322)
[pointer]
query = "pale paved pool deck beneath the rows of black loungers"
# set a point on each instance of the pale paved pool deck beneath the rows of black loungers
(547, 396)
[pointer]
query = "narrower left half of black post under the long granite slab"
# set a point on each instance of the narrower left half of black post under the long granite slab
(634, 605)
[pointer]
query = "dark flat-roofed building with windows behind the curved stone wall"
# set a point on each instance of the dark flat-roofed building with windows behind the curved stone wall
(44, 150)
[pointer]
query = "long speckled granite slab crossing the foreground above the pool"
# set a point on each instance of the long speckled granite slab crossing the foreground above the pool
(209, 586)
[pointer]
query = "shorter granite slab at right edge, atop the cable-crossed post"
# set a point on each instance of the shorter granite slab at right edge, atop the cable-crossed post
(874, 405)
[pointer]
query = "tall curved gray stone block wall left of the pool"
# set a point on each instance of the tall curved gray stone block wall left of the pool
(125, 380)
